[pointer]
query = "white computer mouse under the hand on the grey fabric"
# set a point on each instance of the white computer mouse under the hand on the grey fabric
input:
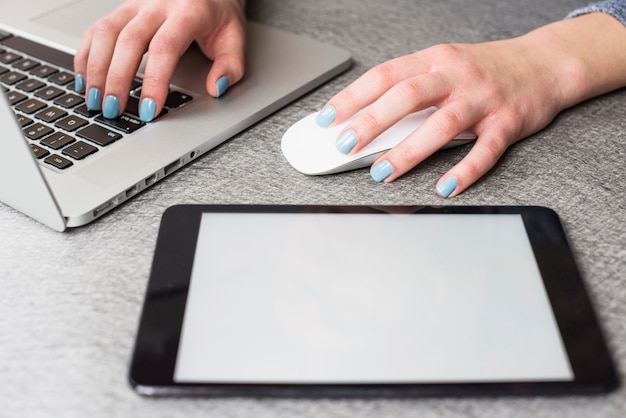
(311, 149)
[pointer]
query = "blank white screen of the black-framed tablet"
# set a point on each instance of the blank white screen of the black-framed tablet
(367, 298)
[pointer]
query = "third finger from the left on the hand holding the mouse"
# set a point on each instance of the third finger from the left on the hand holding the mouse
(440, 128)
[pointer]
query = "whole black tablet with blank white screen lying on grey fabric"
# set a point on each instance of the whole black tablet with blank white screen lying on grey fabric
(341, 301)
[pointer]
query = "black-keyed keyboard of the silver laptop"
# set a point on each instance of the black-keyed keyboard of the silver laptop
(39, 84)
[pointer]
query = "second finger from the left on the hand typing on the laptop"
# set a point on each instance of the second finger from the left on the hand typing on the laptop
(104, 36)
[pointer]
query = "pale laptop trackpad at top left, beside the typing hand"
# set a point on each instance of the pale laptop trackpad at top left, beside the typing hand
(76, 16)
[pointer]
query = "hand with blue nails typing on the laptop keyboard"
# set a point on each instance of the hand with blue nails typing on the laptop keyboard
(112, 48)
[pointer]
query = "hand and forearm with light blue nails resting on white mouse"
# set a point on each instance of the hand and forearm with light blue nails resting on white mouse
(503, 91)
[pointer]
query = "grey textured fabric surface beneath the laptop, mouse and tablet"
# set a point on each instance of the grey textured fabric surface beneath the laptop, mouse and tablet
(69, 302)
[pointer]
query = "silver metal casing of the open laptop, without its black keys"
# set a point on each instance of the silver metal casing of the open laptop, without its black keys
(280, 67)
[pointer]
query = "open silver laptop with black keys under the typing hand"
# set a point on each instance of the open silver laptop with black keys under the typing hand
(67, 176)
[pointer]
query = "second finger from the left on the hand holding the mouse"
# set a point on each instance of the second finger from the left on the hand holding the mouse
(405, 97)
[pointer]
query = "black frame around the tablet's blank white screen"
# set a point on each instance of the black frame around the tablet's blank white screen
(156, 346)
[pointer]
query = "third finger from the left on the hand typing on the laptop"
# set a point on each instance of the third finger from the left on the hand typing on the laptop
(130, 47)
